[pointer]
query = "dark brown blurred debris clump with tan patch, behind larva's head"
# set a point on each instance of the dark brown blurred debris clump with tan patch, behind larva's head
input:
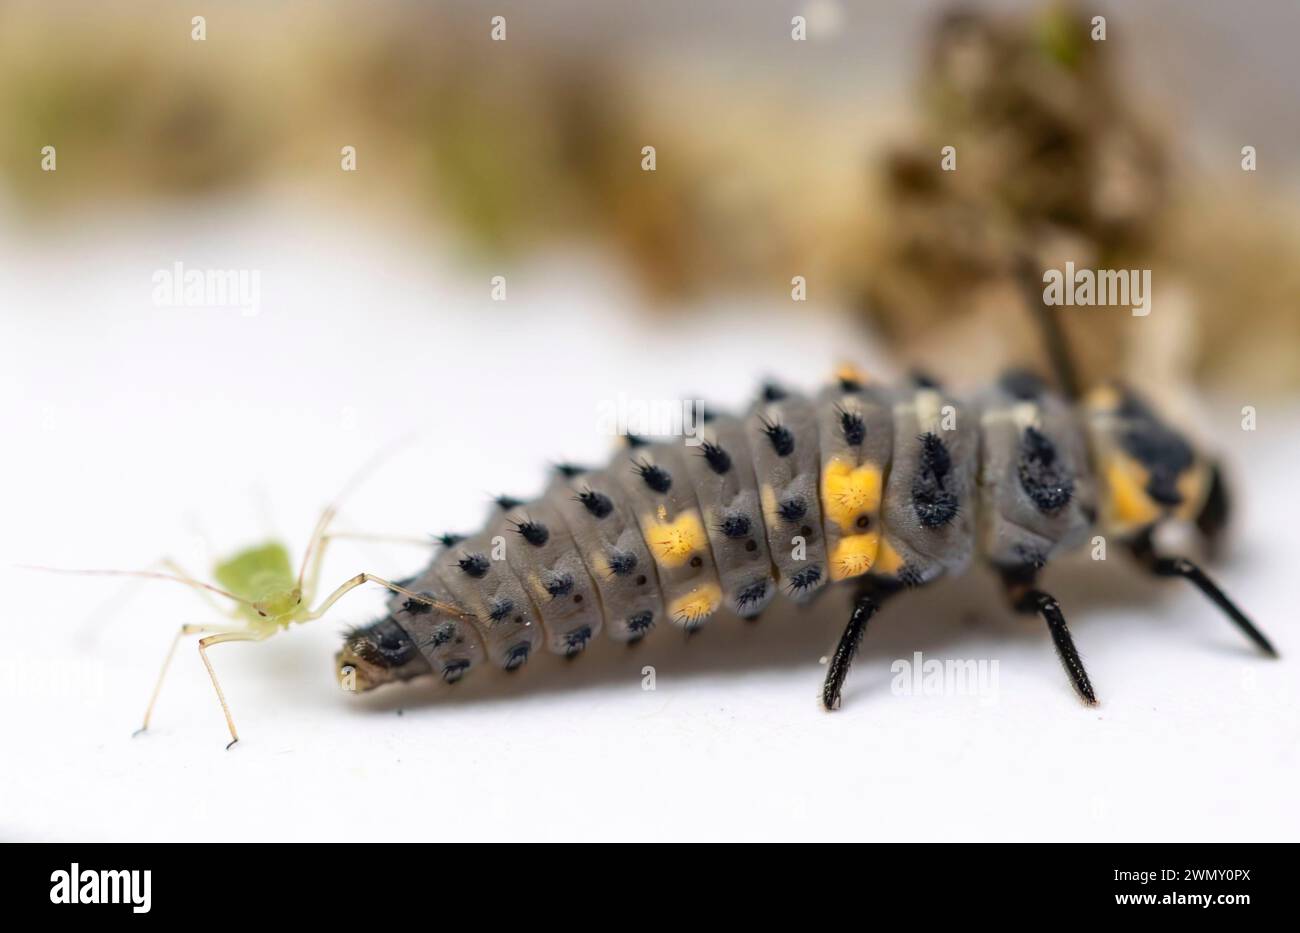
(1055, 163)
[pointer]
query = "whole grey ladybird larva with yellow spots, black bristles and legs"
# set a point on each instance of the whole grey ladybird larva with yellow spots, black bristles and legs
(882, 488)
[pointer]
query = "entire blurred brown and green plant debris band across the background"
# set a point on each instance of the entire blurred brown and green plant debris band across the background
(541, 149)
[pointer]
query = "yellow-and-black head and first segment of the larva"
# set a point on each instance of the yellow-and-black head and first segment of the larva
(1150, 472)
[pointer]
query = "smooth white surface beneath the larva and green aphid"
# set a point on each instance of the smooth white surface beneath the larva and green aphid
(135, 432)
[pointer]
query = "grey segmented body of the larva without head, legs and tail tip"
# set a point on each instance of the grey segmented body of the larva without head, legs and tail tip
(791, 497)
